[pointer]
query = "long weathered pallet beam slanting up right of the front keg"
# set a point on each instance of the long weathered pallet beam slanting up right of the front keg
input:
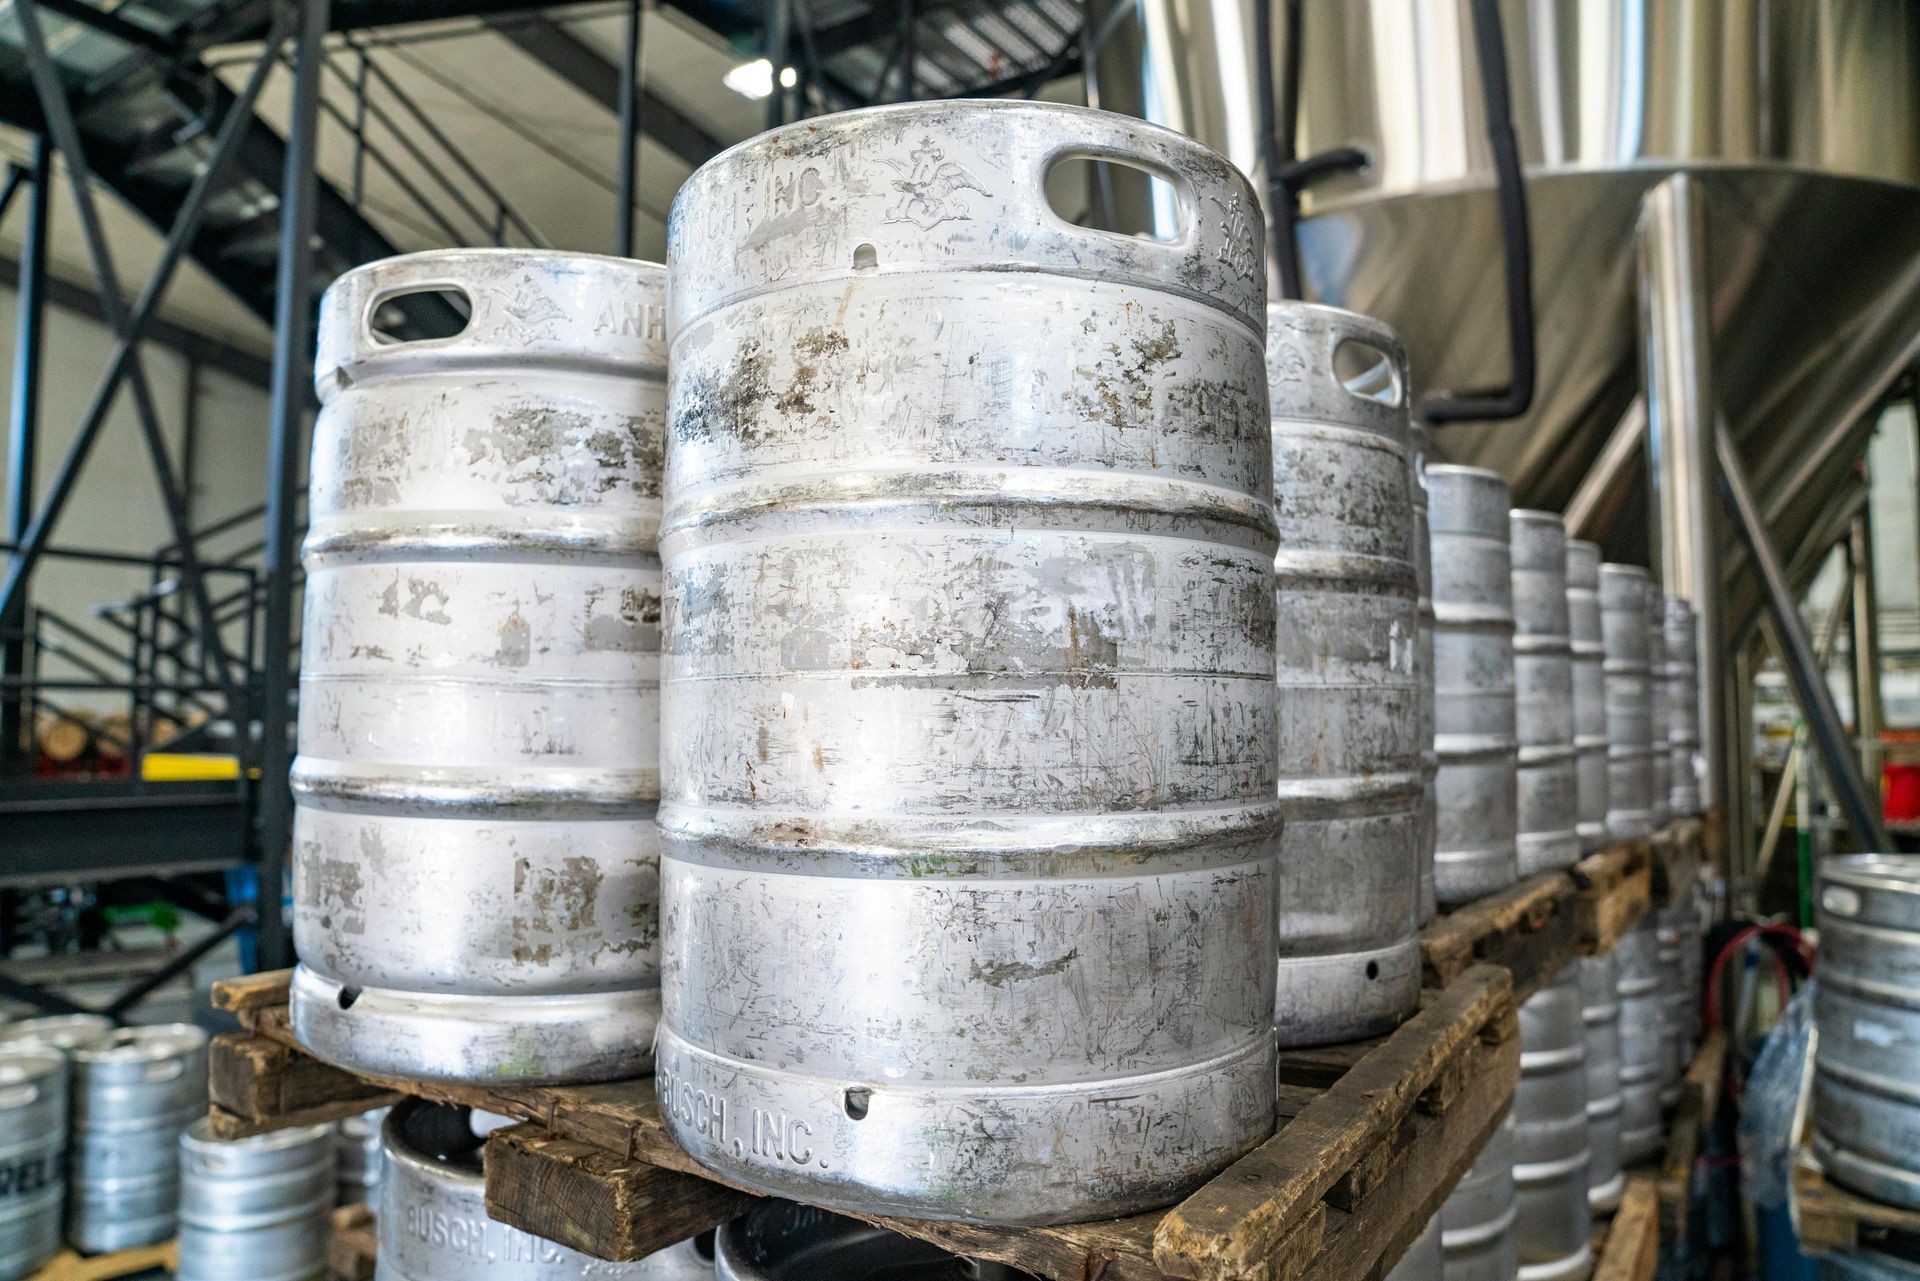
(1239, 1221)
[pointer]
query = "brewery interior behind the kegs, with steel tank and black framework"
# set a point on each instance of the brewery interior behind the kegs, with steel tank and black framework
(1694, 270)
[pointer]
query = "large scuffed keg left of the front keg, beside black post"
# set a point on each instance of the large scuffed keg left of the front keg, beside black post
(475, 858)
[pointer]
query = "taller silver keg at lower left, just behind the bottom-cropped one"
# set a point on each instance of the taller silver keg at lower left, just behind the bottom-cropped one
(132, 1096)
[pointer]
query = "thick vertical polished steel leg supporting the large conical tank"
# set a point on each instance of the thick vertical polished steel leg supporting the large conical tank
(1677, 370)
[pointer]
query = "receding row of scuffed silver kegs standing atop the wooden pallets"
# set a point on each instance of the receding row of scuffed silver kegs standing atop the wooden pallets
(942, 689)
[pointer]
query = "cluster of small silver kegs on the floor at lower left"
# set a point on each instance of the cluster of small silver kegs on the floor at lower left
(105, 1146)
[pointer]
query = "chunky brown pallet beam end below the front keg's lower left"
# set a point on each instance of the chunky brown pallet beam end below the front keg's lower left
(596, 1201)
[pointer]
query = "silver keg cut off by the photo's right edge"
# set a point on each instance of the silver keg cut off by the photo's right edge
(1867, 1059)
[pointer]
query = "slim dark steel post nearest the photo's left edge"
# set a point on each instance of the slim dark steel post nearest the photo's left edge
(24, 443)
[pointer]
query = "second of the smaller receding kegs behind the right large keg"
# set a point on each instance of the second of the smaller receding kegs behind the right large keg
(1543, 694)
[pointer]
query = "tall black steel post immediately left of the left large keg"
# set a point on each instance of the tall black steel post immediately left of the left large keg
(293, 372)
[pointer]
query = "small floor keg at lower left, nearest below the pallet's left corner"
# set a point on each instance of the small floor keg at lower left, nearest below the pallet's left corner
(256, 1209)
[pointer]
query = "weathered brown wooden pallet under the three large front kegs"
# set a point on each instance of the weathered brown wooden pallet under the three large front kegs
(1372, 1142)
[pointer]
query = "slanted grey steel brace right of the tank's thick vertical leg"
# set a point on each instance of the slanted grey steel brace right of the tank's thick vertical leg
(1810, 685)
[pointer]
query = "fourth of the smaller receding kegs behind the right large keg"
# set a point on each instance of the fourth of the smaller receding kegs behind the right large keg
(1623, 619)
